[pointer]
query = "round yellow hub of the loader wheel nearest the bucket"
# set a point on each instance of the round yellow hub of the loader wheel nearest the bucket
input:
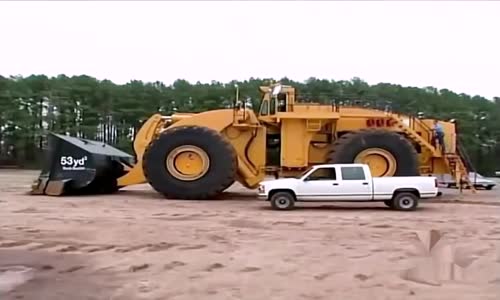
(188, 162)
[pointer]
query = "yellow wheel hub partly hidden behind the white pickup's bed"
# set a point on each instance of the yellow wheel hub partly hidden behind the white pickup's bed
(380, 161)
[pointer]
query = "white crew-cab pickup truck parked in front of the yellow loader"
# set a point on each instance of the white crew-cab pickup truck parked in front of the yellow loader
(348, 182)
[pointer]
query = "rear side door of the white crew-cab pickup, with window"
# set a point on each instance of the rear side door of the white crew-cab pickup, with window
(354, 184)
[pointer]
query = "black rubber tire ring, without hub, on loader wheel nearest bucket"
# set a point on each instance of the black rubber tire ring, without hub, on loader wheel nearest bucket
(220, 174)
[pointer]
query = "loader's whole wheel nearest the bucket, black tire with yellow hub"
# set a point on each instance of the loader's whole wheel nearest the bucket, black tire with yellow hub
(215, 163)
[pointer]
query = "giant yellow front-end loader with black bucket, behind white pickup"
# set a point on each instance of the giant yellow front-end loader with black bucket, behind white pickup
(198, 156)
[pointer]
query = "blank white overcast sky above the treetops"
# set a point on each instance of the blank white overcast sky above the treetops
(454, 45)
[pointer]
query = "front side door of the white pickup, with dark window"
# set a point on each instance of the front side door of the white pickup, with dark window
(320, 185)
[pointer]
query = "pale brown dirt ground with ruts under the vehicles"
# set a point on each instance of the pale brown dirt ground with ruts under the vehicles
(137, 245)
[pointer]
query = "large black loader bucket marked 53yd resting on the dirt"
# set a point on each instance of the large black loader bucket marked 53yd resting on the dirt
(74, 166)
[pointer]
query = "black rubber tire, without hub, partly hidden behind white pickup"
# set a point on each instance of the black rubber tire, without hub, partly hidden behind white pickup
(348, 146)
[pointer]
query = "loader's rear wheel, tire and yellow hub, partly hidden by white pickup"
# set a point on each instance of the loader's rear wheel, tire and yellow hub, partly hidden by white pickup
(387, 153)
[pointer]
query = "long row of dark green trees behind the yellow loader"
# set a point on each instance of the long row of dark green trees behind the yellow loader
(102, 110)
